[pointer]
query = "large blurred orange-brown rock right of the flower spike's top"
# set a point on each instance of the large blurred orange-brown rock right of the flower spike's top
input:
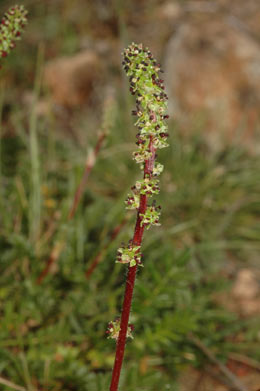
(212, 70)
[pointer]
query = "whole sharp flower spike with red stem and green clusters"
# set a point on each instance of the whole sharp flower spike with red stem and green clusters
(151, 105)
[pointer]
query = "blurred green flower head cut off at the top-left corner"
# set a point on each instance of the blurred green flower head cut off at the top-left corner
(11, 27)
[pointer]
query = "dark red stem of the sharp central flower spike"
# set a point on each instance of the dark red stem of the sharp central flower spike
(130, 281)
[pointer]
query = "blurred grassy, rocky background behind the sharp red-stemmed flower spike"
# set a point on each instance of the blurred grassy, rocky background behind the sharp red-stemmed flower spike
(65, 111)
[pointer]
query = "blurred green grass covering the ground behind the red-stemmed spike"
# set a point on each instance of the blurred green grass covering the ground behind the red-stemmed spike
(53, 335)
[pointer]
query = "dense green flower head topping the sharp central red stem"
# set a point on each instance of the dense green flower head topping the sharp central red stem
(151, 100)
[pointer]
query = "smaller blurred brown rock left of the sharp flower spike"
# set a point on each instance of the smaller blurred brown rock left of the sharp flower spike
(71, 80)
